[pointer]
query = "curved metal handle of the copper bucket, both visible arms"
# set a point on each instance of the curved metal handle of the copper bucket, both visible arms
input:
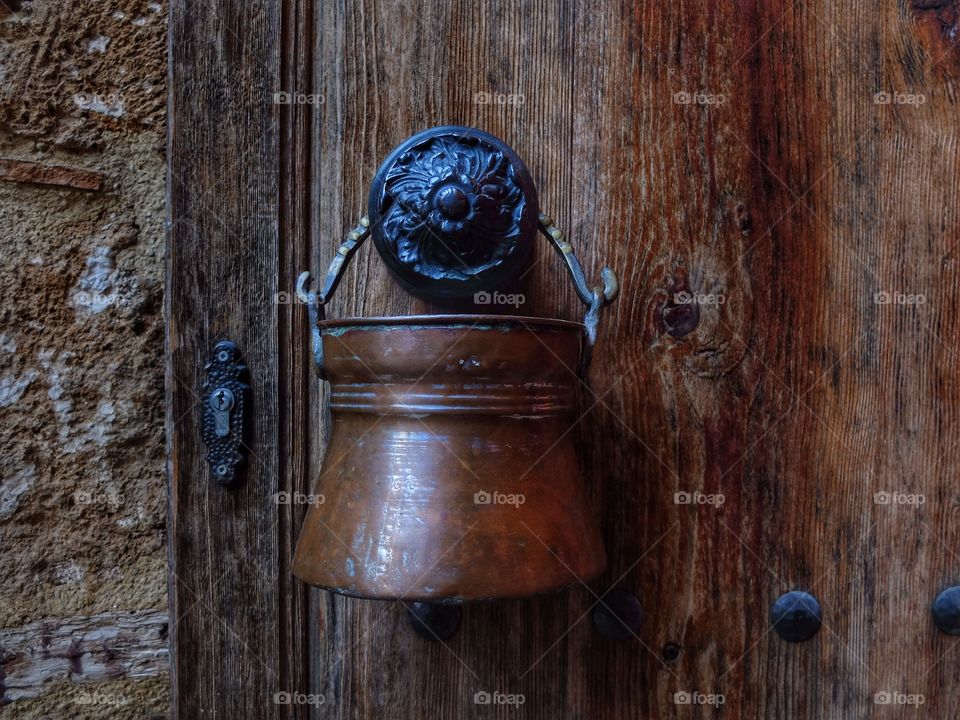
(594, 298)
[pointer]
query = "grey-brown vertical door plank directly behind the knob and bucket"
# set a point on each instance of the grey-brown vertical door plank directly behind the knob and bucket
(388, 70)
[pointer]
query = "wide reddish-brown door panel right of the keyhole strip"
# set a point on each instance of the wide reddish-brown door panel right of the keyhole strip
(730, 149)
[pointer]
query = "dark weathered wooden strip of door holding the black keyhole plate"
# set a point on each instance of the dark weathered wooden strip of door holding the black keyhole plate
(237, 629)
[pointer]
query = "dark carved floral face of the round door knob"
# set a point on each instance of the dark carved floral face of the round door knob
(457, 209)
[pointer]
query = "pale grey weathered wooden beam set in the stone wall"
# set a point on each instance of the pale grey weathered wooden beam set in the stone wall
(82, 649)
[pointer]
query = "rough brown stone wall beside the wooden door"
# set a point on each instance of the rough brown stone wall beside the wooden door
(82, 489)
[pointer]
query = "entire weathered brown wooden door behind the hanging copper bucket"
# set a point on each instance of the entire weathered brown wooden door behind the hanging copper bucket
(792, 165)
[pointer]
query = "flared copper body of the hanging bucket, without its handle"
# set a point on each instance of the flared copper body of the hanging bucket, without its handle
(451, 472)
